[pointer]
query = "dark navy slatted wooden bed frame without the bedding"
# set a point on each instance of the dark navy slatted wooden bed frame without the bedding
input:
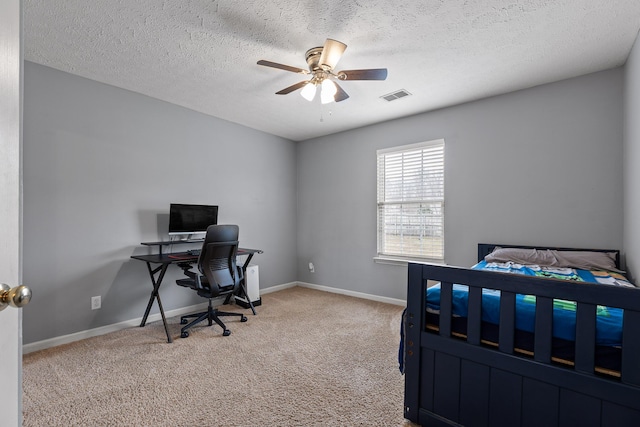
(453, 379)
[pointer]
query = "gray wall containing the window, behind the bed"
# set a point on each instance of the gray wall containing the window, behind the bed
(538, 166)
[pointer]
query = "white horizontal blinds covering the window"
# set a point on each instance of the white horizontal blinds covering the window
(411, 201)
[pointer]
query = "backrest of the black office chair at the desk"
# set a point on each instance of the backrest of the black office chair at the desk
(217, 261)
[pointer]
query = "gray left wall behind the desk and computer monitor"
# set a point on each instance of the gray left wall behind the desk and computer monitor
(102, 165)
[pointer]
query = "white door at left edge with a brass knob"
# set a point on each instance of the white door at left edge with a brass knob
(10, 205)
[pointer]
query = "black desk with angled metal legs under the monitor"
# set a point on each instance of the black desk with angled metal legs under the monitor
(157, 265)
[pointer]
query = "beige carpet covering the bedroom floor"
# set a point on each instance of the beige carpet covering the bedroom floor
(309, 358)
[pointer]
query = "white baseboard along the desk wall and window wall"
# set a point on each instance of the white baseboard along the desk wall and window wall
(77, 336)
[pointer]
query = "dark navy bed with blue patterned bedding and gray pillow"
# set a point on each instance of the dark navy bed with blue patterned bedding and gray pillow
(486, 348)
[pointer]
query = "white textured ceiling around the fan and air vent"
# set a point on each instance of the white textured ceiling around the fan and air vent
(202, 54)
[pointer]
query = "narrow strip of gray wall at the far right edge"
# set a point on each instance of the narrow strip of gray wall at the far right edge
(631, 162)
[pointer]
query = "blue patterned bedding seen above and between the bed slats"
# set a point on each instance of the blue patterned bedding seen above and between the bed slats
(608, 323)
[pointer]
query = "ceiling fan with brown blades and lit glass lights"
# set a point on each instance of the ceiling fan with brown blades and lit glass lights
(321, 62)
